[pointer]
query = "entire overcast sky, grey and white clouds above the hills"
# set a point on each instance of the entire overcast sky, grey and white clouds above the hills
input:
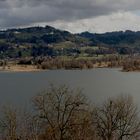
(72, 15)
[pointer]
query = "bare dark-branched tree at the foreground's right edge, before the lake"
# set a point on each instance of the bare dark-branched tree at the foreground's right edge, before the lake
(117, 119)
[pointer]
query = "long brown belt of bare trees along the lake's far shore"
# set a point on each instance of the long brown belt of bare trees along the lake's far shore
(73, 63)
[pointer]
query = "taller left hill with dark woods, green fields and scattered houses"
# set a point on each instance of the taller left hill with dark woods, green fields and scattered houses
(37, 41)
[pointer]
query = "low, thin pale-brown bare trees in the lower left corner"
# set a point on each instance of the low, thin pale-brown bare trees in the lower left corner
(18, 124)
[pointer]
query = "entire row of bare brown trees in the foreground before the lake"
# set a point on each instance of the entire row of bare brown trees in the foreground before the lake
(63, 113)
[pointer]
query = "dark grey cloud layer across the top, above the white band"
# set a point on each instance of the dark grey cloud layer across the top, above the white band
(26, 12)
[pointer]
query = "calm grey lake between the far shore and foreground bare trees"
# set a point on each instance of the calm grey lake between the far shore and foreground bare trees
(17, 88)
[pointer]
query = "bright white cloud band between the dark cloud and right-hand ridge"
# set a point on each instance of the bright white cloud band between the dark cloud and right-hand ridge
(107, 23)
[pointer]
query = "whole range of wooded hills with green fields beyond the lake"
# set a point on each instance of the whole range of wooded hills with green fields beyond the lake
(48, 41)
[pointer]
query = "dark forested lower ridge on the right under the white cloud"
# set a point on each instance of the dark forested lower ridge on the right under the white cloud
(114, 38)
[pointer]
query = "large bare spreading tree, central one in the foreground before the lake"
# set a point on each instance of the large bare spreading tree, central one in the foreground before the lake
(61, 110)
